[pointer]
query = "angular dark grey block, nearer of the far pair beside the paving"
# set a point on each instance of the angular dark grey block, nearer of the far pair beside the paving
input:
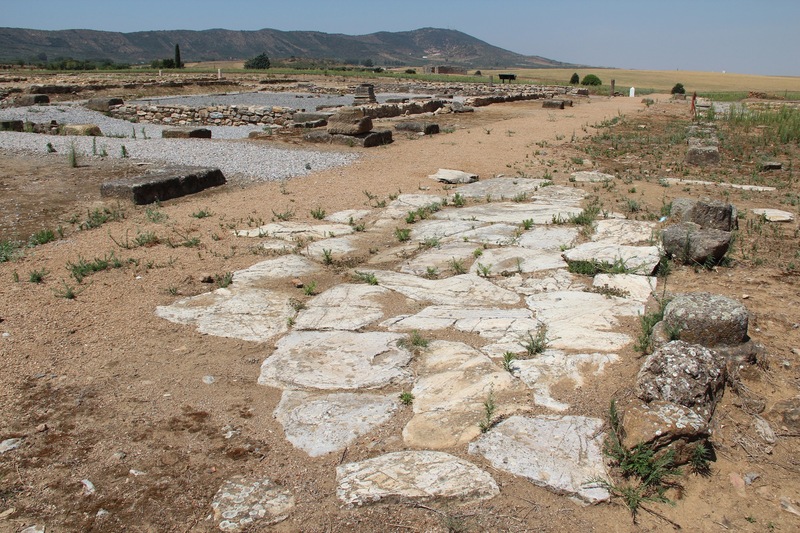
(690, 244)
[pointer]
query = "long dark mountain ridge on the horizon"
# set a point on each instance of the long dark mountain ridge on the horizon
(424, 46)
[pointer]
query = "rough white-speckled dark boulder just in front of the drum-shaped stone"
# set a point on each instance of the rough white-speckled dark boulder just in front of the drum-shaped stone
(686, 374)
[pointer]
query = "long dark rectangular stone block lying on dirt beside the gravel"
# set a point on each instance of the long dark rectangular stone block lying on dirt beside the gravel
(164, 184)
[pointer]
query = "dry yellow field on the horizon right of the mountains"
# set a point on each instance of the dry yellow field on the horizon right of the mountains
(664, 80)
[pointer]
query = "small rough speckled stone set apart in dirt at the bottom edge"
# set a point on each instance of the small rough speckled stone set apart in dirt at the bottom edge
(244, 502)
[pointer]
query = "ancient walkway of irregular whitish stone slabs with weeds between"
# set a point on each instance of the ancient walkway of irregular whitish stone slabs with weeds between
(493, 270)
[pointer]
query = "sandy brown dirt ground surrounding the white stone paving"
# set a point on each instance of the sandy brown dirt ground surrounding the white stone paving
(100, 388)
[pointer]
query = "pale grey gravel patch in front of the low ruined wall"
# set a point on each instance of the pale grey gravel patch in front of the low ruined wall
(238, 160)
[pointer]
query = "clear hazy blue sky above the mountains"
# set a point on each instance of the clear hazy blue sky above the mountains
(743, 36)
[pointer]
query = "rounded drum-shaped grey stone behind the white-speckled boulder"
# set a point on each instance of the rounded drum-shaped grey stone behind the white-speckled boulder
(707, 319)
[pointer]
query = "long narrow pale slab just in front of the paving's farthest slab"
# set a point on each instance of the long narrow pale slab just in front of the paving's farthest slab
(510, 212)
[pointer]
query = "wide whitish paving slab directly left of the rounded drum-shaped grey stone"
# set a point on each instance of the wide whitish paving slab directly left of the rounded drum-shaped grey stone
(584, 321)
